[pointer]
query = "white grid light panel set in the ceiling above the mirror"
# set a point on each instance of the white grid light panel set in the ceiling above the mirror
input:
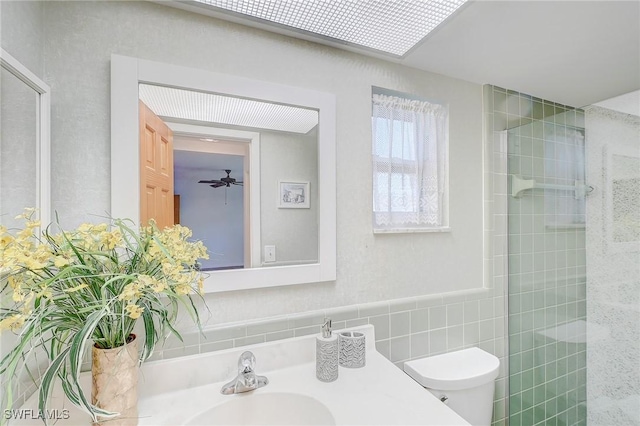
(390, 26)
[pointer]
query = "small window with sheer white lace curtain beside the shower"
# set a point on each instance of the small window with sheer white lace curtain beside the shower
(410, 156)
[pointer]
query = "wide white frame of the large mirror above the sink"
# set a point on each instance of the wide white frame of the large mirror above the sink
(128, 72)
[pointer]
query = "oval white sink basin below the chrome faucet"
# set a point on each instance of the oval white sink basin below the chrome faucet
(276, 408)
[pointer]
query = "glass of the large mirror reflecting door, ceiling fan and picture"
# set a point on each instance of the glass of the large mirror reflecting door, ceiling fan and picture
(206, 158)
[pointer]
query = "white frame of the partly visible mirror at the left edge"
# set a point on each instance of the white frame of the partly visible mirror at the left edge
(43, 146)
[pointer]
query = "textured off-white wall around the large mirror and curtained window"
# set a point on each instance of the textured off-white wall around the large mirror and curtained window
(81, 36)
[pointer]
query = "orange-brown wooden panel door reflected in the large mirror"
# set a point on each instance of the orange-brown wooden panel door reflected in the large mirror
(156, 169)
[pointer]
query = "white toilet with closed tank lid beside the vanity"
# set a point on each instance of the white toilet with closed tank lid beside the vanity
(464, 380)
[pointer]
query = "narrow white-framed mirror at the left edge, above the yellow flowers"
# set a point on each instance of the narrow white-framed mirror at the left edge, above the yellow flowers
(24, 143)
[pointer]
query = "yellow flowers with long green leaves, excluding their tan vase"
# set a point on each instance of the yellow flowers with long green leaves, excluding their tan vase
(64, 291)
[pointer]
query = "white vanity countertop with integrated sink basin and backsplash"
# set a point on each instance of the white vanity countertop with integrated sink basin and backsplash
(186, 391)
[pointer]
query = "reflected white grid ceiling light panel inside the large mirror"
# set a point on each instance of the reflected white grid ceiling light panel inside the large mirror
(227, 110)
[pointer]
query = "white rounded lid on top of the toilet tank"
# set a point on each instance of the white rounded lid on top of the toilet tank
(463, 369)
